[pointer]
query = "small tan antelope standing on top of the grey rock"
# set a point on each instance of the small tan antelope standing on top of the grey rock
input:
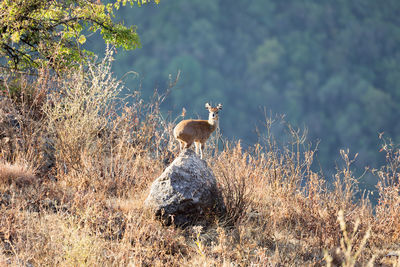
(192, 131)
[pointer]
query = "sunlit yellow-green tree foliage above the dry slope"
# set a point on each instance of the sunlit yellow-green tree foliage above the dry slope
(40, 33)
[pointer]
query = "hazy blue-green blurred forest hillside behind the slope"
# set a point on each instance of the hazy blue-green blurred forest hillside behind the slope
(330, 66)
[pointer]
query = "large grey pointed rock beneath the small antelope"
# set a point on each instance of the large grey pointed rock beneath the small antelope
(185, 191)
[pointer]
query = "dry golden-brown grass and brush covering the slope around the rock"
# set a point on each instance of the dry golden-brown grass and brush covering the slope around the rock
(76, 166)
